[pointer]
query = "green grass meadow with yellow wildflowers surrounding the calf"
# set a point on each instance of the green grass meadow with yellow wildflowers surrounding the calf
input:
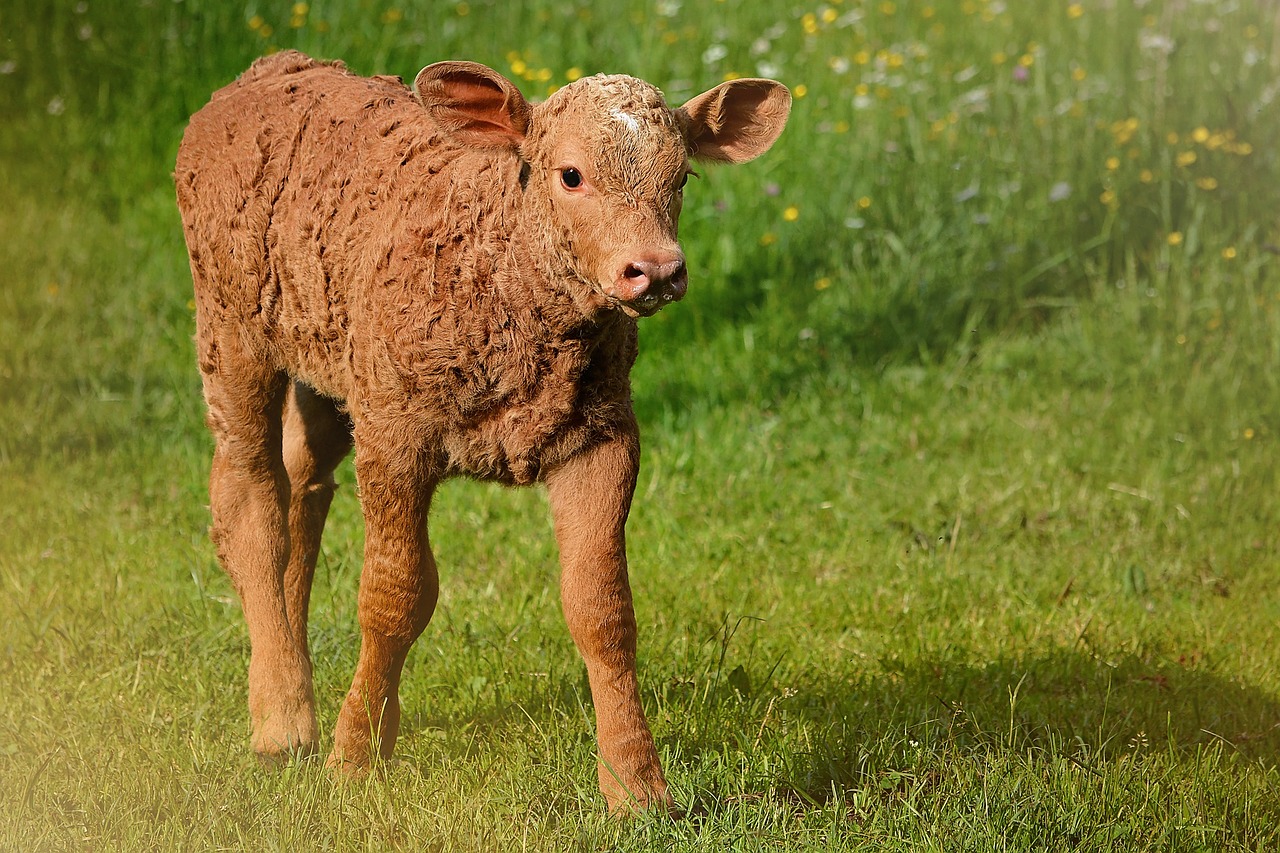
(959, 516)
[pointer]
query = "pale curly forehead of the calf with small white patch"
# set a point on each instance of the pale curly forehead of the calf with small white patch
(624, 122)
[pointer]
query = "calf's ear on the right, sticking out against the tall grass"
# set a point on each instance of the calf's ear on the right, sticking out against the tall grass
(738, 121)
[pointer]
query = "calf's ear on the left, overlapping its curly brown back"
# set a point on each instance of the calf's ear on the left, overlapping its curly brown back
(474, 104)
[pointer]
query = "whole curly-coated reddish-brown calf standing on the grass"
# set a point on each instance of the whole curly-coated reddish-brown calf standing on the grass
(422, 275)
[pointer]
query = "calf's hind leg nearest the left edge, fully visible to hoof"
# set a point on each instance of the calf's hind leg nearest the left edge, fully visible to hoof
(249, 496)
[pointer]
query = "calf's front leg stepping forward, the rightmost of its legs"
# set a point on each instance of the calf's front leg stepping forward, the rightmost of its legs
(591, 498)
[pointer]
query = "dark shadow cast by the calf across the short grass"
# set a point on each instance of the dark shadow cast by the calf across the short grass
(863, 732)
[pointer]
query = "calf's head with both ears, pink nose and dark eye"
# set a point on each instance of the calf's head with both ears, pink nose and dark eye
(607, 162)
